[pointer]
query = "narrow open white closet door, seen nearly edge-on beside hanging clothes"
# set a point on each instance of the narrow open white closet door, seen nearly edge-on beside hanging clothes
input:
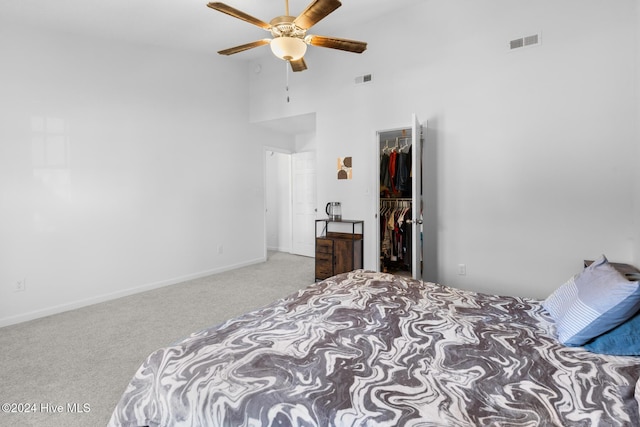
(416, 196)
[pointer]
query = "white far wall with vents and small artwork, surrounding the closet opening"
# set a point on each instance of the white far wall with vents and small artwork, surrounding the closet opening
(536, 148)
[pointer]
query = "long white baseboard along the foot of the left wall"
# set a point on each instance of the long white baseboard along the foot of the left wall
(61, 308)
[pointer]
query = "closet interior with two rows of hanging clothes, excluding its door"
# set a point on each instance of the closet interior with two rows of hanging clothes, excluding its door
(395, 202)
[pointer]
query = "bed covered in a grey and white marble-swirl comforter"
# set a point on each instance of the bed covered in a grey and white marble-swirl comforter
(372, 349)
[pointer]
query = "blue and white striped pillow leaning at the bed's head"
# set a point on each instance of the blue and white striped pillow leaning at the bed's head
(592, 302)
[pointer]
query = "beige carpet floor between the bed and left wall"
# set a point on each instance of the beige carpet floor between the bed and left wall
(70, 369)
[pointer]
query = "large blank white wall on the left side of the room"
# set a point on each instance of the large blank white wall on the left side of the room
(148, 169)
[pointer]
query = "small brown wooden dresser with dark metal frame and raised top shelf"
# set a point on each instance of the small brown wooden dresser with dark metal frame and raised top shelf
(339, 247)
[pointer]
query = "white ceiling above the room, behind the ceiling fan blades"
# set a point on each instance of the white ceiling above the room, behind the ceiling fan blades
(184, 24)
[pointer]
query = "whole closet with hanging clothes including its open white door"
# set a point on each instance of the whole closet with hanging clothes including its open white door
(400, 203)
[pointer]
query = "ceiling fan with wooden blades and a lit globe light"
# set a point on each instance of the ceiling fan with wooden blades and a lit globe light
(290, 38)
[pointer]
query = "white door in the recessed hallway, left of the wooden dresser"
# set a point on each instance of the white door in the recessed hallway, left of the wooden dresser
(304, 202)
